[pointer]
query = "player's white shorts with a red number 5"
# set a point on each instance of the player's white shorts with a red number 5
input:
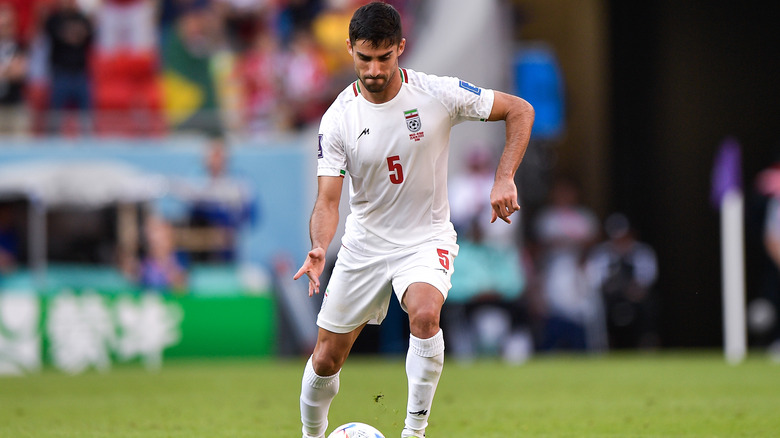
(360, 286)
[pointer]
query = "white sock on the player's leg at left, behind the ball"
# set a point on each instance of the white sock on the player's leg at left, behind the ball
(316, 394)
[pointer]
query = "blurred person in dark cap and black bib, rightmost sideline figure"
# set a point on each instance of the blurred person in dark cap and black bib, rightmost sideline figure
(623, 270)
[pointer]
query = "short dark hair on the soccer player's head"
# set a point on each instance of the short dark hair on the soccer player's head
(378, 23)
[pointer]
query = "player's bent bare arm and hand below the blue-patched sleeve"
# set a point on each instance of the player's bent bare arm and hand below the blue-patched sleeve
(519, 117)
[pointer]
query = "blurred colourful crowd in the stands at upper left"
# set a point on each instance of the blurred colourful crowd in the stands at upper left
(152, 67)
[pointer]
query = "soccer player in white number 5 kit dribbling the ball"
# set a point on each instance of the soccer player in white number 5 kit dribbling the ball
(390, 130)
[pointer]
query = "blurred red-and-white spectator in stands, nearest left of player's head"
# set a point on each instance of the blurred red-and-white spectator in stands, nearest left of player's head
(306, 80)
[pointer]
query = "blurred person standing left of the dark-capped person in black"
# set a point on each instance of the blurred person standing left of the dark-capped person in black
(564, 231)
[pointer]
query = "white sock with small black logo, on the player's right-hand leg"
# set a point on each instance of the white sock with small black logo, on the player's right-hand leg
(424, 363)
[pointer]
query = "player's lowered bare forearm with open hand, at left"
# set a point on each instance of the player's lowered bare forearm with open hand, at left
(322, 227)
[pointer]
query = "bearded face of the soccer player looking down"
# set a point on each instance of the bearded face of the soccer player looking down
(376, 67)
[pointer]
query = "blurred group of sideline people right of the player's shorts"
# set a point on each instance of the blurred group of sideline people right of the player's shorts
(559, 279)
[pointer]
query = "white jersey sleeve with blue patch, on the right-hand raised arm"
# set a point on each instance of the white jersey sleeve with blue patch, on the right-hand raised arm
(463, 100)
